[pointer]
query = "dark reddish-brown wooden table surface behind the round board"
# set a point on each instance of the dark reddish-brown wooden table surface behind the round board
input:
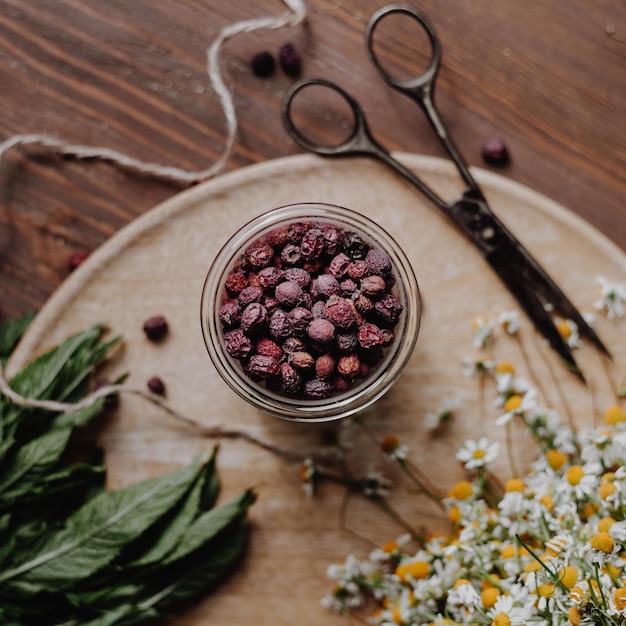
(547, 77)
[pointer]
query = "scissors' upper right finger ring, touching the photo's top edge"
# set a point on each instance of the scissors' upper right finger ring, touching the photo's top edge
(416, 83)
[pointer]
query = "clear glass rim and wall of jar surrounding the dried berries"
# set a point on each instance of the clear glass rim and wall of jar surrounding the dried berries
(365, 390)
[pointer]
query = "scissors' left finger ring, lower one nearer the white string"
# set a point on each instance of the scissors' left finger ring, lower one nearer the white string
(358, 139)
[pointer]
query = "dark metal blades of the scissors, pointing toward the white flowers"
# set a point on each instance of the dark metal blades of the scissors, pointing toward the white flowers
(534, 289)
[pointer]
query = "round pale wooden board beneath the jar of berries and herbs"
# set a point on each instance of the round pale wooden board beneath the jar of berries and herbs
(157, 265)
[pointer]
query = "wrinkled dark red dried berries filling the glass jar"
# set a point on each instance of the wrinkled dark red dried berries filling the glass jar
(308, 309)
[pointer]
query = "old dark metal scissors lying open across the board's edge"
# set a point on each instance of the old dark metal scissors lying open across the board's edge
(535, 291)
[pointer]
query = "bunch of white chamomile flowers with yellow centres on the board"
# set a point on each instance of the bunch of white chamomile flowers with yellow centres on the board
(548, 547)
